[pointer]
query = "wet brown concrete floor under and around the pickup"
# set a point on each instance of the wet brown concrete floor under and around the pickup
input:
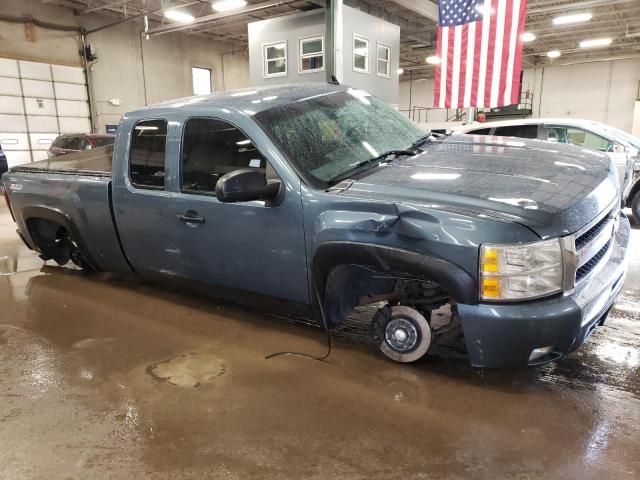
(103, 377)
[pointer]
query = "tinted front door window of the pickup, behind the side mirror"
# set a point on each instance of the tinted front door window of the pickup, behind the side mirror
(211, 148)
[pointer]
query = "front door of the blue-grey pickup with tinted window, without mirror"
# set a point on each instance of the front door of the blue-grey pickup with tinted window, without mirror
(250, 246)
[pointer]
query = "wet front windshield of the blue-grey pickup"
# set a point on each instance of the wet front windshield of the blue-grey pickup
(327, 136)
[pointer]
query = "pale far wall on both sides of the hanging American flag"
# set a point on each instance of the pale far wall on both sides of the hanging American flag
(602, 91)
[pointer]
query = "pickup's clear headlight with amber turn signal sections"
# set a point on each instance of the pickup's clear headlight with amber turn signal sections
(520, 272)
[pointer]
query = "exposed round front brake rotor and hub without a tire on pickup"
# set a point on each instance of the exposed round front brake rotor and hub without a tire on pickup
(402, 333)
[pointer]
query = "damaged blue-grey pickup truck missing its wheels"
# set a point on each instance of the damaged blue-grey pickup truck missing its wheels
(313, 200)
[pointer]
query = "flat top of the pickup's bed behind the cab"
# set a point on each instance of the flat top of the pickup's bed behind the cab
(95, 163)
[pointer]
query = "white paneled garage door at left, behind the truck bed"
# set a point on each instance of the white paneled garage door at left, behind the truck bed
(38, 101)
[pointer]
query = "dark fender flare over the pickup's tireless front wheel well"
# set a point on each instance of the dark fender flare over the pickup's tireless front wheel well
(396, 262)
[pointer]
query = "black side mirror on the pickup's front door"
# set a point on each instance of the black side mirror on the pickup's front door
(246, 185)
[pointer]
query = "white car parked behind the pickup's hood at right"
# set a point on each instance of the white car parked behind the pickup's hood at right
(588, 134)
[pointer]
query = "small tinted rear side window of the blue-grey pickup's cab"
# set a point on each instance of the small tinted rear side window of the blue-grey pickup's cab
(147, 155)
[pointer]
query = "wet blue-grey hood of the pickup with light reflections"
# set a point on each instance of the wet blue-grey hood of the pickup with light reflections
(550, 188)
